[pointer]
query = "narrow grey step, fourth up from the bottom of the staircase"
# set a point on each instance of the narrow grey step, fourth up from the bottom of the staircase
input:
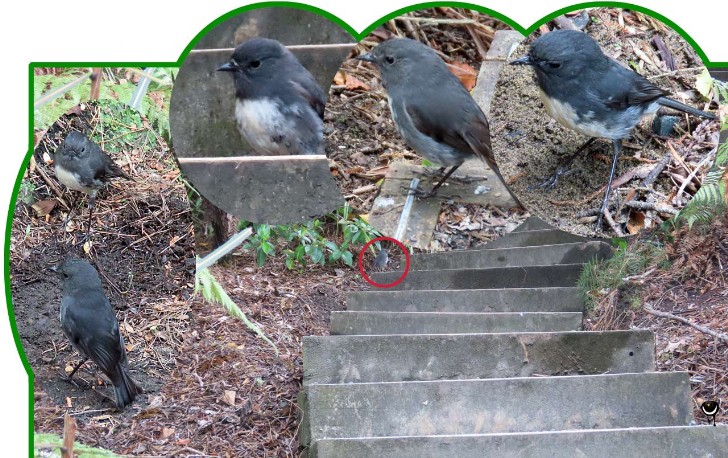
(368, 323)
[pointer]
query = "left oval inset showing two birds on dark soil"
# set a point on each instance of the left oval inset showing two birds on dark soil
(101, 268)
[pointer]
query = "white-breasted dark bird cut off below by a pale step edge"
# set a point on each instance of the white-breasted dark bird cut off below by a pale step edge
(279, 106)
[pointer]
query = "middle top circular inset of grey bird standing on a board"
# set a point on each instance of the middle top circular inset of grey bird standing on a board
(409, 136)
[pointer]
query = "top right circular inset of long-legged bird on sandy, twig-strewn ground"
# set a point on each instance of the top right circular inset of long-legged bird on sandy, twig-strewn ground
(605, 122)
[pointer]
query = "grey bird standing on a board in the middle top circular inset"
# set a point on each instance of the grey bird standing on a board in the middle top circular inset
(431, 109)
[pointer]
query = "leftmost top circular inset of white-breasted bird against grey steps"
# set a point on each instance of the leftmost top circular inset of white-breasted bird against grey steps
(247, 109)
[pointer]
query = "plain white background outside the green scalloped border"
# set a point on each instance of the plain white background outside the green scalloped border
(156, 31)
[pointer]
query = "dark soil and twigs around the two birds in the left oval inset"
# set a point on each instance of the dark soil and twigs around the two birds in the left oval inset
(142, 244)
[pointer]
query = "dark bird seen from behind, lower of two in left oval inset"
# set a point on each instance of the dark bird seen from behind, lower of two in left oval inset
(89, 323)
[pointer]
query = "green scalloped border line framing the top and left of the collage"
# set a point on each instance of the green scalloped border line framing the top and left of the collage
(254, 6)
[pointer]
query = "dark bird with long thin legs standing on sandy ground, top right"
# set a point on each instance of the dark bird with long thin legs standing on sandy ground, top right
(587, 91)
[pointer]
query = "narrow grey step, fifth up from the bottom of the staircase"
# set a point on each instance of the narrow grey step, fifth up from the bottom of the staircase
(559, 299)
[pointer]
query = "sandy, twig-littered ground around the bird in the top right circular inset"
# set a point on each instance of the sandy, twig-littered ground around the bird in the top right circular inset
(529, 145)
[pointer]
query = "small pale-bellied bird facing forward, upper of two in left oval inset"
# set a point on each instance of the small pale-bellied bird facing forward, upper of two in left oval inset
(81, 165)
